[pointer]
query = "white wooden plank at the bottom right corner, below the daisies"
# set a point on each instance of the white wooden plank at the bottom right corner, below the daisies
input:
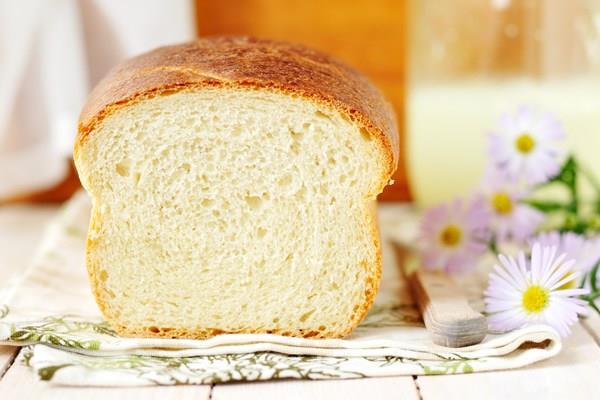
(570, 375)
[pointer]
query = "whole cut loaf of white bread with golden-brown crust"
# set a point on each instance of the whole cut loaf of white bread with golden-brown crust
(233, 183)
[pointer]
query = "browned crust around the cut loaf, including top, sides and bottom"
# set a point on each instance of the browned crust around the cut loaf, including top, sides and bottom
(252, 64)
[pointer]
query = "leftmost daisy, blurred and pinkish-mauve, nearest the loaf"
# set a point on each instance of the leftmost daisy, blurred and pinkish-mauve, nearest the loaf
(453, 235)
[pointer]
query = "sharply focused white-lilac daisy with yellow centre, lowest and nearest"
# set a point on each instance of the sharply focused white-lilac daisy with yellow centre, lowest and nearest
(524, 292)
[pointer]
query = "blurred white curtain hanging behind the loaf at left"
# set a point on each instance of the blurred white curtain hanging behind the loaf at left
(52, 52)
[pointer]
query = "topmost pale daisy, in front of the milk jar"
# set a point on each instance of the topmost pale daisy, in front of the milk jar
(525, 145)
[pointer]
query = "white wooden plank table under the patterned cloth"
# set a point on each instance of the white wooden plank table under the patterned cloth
(573, 374)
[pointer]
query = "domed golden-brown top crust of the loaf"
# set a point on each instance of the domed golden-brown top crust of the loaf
(245, 63)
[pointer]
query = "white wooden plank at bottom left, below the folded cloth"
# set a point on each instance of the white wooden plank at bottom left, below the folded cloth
(20, 383)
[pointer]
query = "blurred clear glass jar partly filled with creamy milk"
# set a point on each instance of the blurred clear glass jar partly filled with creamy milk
(471, 61)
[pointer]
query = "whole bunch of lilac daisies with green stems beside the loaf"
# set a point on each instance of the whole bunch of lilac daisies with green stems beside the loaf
(548, 250)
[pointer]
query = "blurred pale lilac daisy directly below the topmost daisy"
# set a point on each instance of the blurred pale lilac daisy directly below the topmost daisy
(509, 217)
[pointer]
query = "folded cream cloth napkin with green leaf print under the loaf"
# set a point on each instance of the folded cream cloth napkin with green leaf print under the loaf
(50, 310)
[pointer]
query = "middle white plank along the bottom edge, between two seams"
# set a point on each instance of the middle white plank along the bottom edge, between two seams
(369, 388)
